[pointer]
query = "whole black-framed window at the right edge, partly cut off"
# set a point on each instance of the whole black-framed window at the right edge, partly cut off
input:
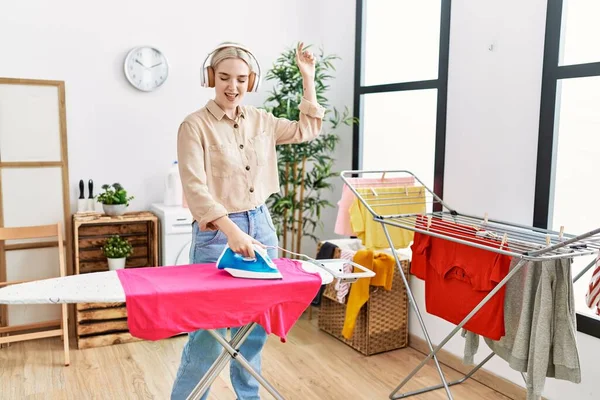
(569, 137)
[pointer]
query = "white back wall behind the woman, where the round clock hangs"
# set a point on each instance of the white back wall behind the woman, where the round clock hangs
(117, 133)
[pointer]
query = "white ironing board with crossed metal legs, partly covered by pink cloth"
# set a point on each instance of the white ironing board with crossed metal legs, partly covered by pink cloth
(106, 287)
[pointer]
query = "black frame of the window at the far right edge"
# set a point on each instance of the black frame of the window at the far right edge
(552, 73)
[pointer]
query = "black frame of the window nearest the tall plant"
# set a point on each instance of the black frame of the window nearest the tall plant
(441, 84)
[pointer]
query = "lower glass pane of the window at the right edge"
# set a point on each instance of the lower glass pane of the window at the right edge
(576, 191)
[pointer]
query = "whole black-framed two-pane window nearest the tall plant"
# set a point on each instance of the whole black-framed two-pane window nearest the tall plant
(400, 87)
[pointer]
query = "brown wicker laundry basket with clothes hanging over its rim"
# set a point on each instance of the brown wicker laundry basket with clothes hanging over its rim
(382, 323)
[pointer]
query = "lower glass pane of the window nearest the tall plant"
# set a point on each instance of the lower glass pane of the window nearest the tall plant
(398, 130)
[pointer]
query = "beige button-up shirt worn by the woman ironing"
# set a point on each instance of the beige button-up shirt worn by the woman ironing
(229, 166)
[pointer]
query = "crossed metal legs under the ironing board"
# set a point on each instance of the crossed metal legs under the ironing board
(230, 351)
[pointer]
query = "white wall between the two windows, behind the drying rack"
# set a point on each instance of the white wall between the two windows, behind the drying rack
(491, 147)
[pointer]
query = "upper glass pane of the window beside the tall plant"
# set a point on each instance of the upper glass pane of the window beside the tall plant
(402, 39)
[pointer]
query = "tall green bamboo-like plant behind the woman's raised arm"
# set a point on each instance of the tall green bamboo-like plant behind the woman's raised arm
(305, 169)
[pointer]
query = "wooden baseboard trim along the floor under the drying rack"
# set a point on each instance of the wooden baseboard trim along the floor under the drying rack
(493, 381)
